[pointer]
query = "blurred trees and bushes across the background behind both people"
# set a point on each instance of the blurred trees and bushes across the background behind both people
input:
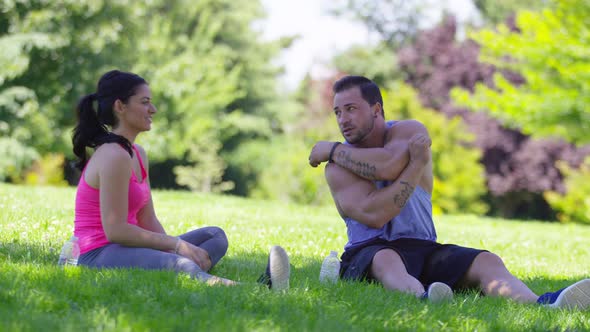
(224, 126)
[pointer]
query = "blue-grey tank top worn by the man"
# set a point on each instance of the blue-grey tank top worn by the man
(414, 220)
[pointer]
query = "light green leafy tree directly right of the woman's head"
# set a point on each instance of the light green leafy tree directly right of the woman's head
(217, 89)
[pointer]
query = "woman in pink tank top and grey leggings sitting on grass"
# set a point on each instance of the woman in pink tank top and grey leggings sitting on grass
(115, 220)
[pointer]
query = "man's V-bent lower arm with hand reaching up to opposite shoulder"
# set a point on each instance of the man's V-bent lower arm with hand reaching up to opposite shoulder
(357, 198)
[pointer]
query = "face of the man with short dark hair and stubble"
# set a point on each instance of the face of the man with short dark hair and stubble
(354, 115)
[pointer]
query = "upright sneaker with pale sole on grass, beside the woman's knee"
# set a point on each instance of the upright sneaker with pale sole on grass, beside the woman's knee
(276, 276)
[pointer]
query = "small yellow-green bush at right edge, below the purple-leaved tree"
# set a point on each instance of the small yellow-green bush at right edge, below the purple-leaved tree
(574, 205)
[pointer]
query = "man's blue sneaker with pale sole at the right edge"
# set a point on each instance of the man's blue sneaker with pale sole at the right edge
(576, 296)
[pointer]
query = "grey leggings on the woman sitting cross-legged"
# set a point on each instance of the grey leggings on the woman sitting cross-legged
(211, 239)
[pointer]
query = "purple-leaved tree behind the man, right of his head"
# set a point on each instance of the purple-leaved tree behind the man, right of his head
(518, 168)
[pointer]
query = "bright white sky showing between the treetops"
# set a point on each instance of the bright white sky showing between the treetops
(323, 35)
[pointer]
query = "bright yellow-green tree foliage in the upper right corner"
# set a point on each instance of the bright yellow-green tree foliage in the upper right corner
(552, 53)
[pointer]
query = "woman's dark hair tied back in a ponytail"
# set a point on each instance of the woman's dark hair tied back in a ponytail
(91, 129)
